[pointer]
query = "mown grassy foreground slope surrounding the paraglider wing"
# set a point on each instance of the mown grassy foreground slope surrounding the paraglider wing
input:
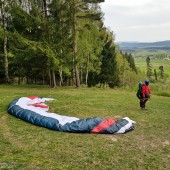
(25, 146)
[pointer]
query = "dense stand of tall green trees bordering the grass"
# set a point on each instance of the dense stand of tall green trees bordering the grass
(60, 43)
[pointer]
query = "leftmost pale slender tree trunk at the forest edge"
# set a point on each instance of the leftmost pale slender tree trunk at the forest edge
(6, 59)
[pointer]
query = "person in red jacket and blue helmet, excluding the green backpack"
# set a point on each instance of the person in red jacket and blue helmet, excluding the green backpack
(146, 93)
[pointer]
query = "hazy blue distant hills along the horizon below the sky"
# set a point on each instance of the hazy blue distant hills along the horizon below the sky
(139, 46)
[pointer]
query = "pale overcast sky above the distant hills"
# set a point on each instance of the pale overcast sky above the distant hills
(138, 20)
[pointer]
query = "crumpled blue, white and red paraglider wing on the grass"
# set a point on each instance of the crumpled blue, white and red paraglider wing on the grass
(33, 110)
